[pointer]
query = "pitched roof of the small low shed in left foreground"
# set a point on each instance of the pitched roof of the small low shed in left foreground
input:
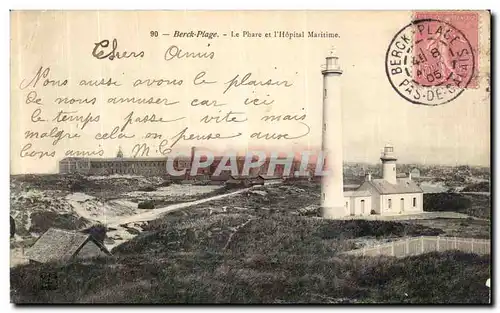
(60, 245)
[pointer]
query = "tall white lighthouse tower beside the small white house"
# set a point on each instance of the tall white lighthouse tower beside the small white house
(332, 185)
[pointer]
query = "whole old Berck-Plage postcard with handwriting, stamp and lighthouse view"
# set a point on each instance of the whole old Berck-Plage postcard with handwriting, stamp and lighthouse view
(259, 157)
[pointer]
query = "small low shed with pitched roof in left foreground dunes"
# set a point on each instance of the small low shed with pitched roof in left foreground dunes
(57, 245)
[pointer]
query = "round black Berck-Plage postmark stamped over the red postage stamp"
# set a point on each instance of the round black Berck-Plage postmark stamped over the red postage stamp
(429, 62)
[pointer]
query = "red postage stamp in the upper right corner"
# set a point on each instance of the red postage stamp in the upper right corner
(446, 48)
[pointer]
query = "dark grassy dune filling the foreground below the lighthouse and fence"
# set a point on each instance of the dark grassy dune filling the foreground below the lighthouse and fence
(248, 258)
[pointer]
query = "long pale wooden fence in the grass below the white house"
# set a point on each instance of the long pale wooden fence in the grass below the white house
(425, 244)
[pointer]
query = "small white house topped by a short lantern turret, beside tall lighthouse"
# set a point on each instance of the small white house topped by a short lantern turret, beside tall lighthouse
(392, 195)
